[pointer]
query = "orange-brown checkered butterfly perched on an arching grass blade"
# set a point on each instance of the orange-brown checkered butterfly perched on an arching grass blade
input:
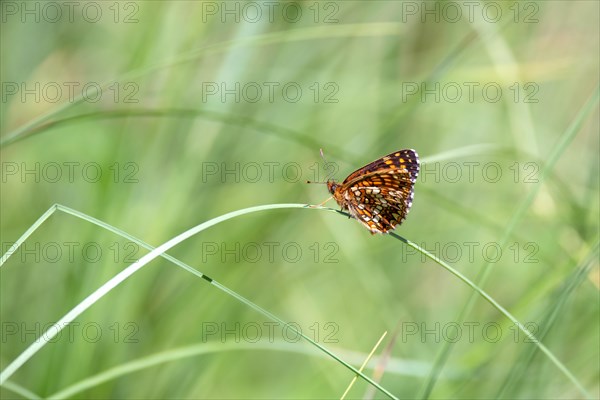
(380, 194)
